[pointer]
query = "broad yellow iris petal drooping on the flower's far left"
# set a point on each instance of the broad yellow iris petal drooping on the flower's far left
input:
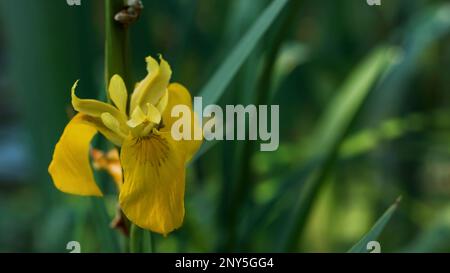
(70, 168)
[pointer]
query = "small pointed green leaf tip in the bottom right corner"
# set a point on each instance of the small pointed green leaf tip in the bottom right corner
(375, 231)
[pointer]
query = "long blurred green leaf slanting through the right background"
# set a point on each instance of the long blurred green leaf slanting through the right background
(332, 128)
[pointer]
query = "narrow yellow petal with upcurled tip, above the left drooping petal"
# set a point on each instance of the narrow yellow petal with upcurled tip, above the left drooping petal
(94, 108)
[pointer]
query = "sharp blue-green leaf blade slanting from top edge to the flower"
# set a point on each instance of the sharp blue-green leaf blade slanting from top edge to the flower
(218, 83)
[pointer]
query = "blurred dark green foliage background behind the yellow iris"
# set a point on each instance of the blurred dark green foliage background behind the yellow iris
(385, 133)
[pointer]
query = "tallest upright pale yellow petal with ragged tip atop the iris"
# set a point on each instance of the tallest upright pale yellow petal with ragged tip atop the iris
(152, 88)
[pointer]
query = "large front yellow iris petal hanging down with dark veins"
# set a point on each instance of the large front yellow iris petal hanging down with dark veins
(152, 195)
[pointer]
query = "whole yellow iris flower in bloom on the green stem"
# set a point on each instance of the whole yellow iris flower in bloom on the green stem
(153, 163)
